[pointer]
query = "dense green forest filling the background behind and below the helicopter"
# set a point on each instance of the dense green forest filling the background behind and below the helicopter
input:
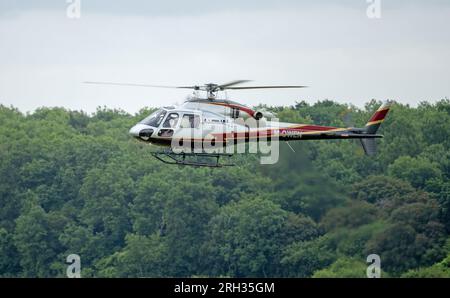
(77, 183)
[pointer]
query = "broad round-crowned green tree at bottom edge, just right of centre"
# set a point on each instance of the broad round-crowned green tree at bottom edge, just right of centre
(244, 239)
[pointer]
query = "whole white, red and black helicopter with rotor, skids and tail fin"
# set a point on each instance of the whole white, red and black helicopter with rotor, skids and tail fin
(204, 129)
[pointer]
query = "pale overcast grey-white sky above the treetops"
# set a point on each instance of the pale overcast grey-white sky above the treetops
(333, 47)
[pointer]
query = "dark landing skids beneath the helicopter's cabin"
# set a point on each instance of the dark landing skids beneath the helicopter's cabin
(189, 159)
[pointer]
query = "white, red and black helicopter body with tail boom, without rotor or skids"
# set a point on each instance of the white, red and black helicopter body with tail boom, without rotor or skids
(210, 123)
